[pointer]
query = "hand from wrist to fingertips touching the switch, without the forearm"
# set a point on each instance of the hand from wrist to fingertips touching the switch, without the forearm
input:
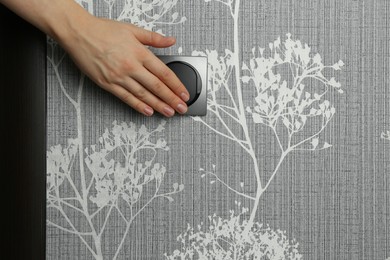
(113, 55)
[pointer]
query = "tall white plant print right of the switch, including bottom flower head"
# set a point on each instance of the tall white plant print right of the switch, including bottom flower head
(282, 105)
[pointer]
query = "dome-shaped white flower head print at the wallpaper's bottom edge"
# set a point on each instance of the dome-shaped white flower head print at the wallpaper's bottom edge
(226, 239)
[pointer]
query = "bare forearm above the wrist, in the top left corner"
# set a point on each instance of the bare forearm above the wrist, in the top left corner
(57, 18)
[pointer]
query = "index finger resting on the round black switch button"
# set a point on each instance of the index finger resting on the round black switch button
(167, 76)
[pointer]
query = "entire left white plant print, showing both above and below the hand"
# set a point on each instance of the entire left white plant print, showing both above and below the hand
(108, 177)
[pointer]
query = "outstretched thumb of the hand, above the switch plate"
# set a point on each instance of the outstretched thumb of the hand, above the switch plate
(152, 38)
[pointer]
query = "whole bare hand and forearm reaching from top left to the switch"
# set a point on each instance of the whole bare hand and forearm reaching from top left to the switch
(111, 53)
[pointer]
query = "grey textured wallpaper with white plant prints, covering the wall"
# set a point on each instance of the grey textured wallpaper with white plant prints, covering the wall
(291, 162)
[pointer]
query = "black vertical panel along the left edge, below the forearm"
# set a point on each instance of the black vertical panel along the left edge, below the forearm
(23, 160)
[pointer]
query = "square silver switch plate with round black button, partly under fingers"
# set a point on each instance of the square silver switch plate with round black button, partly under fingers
(192, 71)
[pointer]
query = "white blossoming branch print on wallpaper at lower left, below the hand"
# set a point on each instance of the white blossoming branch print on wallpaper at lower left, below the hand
(114, 180)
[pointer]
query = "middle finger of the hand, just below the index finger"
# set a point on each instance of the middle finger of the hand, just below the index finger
(158, 88)
